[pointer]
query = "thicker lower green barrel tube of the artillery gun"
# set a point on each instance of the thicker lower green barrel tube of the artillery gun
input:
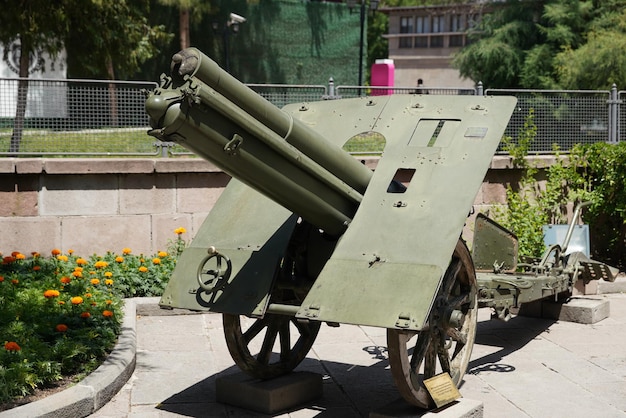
(203, 120)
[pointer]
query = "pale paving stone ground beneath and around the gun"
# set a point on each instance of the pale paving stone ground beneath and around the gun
(526, 367)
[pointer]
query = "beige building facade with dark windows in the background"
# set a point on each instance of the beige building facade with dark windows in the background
(424, 39)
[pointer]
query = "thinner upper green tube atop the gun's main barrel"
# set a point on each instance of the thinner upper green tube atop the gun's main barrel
(194, 63)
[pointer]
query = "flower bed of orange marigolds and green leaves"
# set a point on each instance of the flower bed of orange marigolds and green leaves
(61, 314)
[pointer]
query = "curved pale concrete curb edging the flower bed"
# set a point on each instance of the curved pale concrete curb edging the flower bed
(94, 391)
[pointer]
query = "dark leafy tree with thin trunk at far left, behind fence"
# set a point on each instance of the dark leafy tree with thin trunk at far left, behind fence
(39, 26)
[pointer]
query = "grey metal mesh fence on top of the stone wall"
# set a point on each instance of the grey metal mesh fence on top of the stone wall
(96, 118)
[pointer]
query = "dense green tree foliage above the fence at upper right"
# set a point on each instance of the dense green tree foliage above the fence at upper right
(549, 44)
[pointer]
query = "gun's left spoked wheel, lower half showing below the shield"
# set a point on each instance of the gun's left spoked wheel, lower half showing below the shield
(280, 343)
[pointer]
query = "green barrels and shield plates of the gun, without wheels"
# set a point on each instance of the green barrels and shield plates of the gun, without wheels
(389, 235)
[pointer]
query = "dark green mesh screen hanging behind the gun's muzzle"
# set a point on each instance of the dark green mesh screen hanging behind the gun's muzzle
(288, 42)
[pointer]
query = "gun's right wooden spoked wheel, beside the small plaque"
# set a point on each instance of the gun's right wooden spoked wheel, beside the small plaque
(446, 342)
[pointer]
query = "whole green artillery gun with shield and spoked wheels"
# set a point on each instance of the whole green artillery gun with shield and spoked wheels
(304, 233)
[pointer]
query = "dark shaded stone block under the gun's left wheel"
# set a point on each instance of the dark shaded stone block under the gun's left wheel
(268, 396)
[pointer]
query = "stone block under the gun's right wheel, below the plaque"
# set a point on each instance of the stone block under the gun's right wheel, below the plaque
(463, 408)
